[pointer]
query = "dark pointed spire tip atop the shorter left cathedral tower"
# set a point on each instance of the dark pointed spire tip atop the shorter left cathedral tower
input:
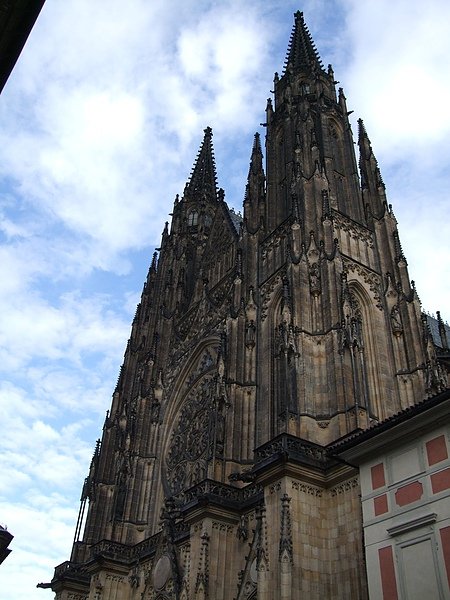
(202, 183)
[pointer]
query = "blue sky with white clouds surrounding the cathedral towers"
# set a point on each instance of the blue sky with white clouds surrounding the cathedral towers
(100, 124)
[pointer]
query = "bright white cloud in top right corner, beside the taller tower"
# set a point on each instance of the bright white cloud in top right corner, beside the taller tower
(398, 77)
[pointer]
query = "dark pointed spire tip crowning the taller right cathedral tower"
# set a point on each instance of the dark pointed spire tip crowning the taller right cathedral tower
(302, 54)
